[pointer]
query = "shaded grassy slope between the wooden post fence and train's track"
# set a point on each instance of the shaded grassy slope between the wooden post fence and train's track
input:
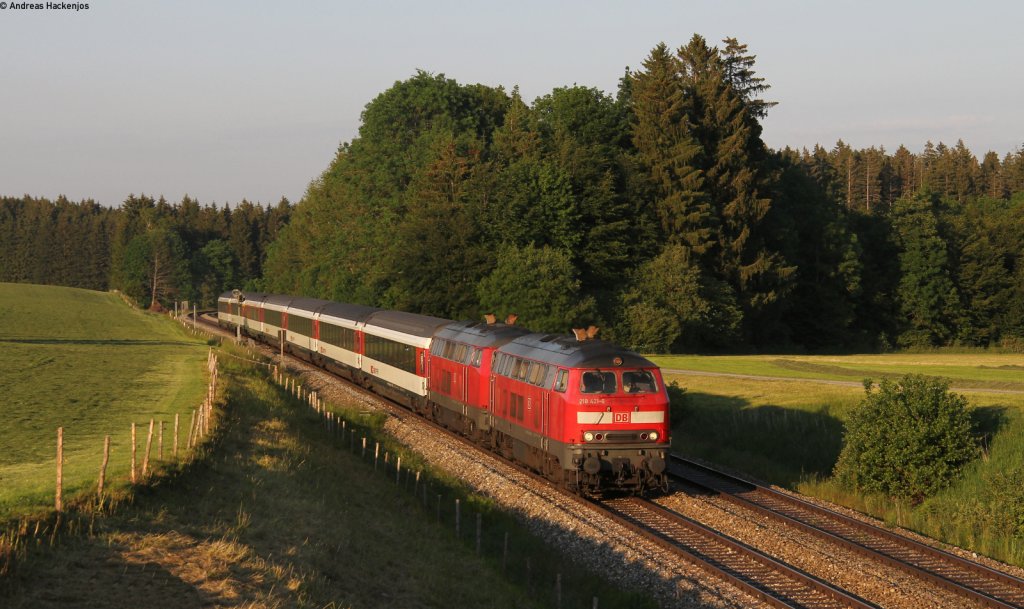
(285, 514)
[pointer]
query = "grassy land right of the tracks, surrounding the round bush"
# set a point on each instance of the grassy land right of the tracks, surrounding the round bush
(789, 431)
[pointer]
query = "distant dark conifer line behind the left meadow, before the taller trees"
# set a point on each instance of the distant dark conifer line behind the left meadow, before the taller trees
(150, 249)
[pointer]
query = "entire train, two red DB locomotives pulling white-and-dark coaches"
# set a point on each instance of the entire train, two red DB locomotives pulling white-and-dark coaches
(584, 413)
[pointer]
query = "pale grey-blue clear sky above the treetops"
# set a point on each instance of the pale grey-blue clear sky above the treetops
(227, 101)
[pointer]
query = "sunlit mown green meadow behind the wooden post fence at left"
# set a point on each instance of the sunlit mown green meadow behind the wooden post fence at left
(87, 362)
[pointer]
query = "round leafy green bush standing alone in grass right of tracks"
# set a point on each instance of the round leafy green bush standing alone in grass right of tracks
(908, 441)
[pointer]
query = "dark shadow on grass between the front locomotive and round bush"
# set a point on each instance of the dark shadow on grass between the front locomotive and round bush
(776, 445)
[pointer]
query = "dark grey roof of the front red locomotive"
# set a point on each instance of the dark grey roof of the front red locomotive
(567, 352)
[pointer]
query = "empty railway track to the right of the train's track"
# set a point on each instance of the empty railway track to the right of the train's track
(971, 581)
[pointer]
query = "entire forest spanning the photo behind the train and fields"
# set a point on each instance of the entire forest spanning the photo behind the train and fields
(656, 212)
